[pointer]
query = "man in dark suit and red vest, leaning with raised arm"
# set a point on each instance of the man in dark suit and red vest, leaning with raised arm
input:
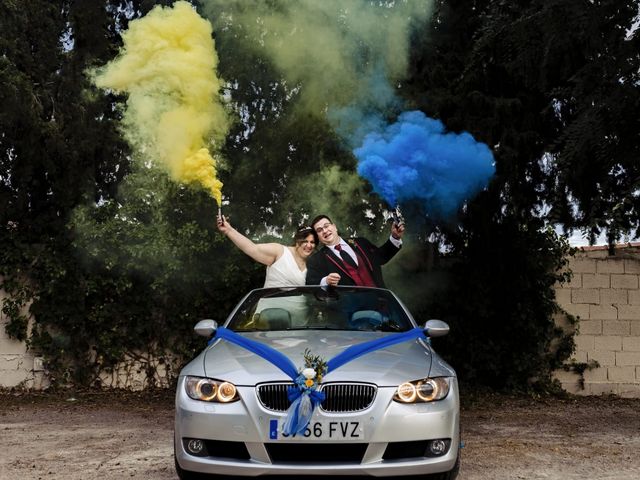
(349, 262)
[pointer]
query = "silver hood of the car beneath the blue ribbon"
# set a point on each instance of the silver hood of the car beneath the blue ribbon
(390, 366)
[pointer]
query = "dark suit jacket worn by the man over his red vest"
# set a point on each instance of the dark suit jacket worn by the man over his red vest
(325, 261)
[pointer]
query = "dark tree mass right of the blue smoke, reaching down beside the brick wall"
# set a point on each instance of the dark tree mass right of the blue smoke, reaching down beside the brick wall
(551, 86)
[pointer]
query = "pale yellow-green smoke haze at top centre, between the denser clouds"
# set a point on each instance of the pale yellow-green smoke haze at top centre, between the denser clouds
(332, 48)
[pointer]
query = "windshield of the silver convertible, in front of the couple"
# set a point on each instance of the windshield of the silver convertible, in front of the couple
(313, 308)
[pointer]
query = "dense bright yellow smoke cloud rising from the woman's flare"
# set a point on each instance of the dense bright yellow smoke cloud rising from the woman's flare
(167, 66)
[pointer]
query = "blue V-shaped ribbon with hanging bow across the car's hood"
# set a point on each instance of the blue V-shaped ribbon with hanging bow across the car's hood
(304, 400)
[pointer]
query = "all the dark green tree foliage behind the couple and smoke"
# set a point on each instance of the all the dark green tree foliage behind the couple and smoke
(114, 258)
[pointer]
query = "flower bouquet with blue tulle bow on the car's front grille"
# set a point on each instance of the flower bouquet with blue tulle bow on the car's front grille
(304, 395)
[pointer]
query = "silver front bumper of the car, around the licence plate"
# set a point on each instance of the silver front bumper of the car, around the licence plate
(387, 429)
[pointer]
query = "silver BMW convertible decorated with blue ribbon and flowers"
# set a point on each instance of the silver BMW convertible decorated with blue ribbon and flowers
(317, 381)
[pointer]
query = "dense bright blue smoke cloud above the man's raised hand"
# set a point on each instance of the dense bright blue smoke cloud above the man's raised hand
(416, 160)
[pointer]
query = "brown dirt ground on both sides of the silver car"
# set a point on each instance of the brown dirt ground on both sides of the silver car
(115, 436)
